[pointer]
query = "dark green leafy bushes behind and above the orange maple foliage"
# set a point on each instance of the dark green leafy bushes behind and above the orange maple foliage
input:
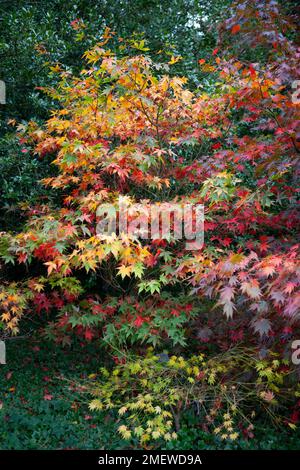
(184, 27)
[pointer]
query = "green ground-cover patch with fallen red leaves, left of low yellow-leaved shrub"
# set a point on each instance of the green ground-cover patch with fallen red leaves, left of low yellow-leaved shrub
(40, 407)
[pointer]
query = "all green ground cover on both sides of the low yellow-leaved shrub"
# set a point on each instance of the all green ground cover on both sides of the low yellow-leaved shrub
(41, 407)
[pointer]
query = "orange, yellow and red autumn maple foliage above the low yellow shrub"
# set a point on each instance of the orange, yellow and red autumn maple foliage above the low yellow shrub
(127, 126)
